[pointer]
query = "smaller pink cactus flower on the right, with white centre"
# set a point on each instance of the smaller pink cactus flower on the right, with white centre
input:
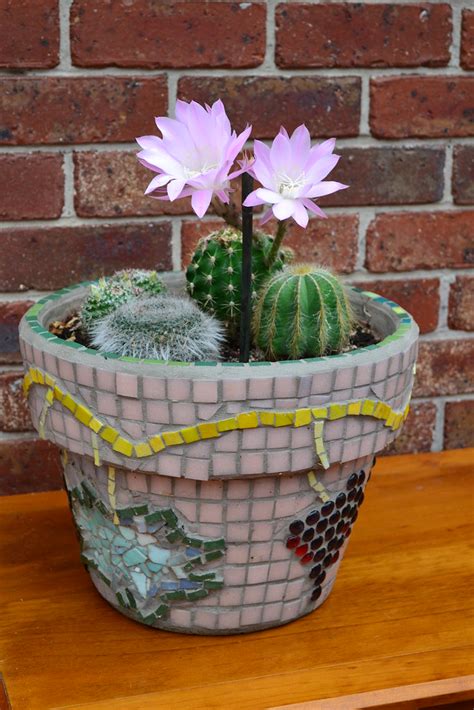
(292, 174)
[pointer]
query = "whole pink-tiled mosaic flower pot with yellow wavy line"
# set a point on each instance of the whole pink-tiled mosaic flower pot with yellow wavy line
(216, 498)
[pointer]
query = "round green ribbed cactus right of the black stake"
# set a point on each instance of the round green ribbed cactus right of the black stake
(302, 312)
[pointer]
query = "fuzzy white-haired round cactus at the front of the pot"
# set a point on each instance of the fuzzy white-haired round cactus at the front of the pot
(159, 328)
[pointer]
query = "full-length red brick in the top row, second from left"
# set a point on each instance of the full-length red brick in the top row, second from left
(173, 34)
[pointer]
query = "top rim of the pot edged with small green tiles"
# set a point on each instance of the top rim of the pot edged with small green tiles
(404, 330)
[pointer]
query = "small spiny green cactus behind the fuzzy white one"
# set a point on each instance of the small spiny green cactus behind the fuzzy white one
(111, 291)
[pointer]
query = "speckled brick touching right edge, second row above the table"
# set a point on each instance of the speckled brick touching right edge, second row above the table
(444, 367)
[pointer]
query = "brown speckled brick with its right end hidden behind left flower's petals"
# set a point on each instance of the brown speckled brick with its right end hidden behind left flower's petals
(112, 184)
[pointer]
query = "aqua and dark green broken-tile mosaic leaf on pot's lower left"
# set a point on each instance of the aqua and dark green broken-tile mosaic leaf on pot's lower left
(143, 554)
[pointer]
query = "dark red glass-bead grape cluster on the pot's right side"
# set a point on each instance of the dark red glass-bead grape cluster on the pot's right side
(317, 538)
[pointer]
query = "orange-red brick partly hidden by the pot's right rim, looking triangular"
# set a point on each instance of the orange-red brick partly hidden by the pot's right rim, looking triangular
(420, 297)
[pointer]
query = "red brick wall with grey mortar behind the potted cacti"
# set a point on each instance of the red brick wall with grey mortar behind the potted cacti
(80, 79)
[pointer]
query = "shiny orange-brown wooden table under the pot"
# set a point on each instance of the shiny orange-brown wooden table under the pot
(399, 621)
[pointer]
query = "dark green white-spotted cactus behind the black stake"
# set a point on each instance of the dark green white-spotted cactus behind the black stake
(214, 273)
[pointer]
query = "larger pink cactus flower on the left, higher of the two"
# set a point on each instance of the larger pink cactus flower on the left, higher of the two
(195, 155)
